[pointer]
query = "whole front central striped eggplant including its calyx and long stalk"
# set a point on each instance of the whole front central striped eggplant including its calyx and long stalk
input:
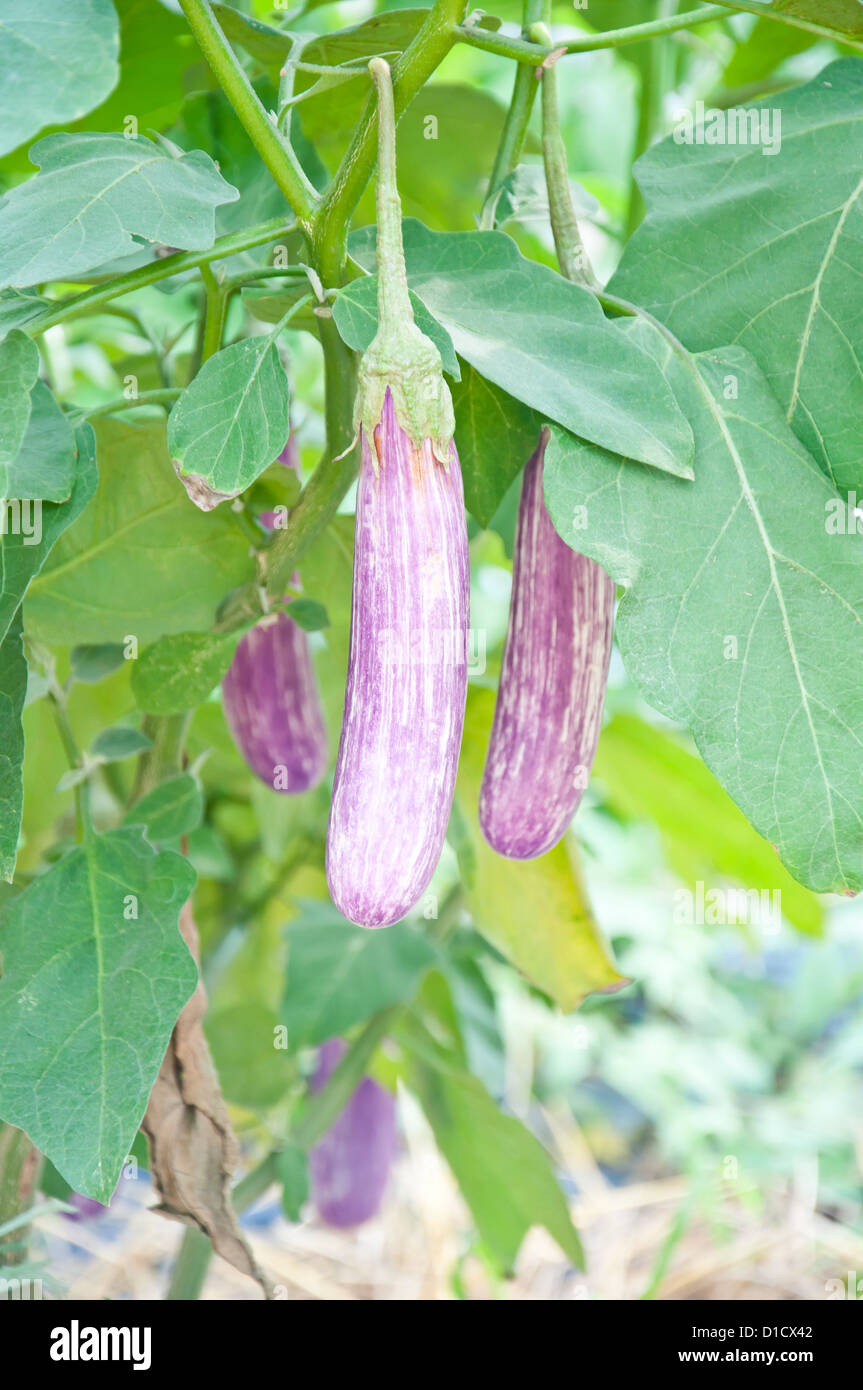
(408, 667)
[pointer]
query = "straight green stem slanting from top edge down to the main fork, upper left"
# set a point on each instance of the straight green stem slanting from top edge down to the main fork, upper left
(276, 152)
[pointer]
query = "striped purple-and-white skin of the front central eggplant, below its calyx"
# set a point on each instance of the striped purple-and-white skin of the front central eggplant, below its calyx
(406, 679)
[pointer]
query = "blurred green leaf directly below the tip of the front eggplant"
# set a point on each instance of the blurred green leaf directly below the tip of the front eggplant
(340, 975)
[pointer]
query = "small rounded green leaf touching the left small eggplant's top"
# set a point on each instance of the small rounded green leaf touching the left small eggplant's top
(179, 672)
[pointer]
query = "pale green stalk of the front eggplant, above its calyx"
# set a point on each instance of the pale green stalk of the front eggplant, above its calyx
(394, 301)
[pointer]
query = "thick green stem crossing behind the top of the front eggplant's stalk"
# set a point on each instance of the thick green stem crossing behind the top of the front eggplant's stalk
(411, 73)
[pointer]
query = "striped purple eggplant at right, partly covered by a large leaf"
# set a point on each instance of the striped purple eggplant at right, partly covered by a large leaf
(552, 685)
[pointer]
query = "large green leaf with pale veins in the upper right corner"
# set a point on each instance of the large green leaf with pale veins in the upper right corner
(768, 252)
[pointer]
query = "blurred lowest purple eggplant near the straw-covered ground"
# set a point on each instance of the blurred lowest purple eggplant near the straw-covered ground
(351, 1166)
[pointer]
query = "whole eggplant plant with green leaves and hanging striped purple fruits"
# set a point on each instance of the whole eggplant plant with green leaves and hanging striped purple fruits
(565, 365)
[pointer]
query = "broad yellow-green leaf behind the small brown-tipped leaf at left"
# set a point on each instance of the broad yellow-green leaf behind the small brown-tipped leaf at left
(141, 561)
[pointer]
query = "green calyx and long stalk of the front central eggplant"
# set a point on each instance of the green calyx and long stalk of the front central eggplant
(400, 358)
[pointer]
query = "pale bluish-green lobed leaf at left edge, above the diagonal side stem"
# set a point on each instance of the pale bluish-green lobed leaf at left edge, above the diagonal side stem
(98, 194)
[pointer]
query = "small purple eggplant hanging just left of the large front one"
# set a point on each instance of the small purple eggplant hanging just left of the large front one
(273, 707)
